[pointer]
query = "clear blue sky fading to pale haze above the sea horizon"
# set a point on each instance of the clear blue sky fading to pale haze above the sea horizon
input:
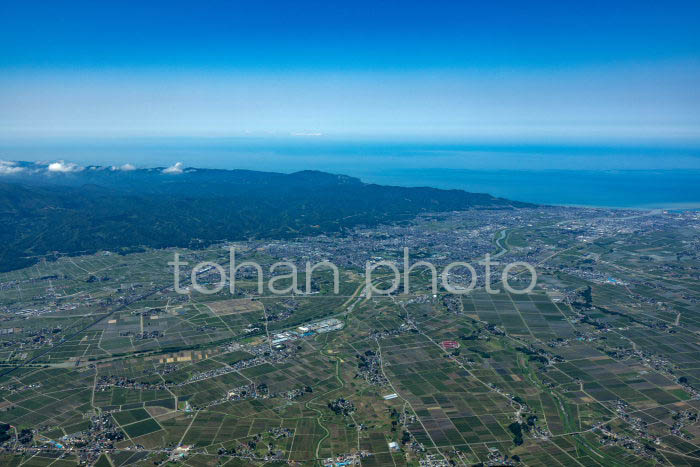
(592, 71)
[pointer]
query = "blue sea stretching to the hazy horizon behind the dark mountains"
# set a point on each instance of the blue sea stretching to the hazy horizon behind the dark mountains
(645, 176)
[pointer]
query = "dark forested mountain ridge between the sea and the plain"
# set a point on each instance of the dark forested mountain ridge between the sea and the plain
(103, 209)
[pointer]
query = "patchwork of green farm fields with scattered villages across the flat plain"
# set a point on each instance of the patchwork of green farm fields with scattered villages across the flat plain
(103, 363)
